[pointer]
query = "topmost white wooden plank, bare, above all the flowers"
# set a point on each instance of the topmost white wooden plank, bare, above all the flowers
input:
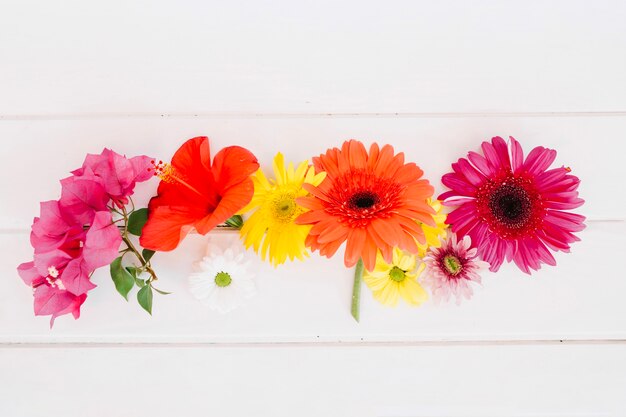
(311, 57)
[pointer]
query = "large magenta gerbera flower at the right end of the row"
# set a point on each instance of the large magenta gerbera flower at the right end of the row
(513, 208)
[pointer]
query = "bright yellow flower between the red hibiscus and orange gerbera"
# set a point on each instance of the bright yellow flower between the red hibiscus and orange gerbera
(271, 227)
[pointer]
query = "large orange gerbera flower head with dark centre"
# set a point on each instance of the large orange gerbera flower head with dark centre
(371, 201)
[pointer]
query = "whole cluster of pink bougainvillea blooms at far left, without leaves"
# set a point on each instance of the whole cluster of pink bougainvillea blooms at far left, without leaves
(76, 235)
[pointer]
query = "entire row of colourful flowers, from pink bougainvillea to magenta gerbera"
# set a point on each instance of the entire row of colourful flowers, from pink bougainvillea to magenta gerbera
(370, 204)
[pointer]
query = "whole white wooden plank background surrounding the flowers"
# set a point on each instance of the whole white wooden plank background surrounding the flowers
(432, 78)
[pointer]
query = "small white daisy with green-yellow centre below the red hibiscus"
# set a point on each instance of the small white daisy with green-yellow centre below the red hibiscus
(223, 279)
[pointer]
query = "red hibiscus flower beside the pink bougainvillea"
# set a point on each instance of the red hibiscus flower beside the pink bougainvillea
(194, 193)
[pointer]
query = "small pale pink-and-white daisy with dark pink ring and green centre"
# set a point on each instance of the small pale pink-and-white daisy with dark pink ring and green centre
(451, 268)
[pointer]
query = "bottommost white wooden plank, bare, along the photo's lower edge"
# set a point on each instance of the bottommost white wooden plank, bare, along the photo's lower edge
(468, 381)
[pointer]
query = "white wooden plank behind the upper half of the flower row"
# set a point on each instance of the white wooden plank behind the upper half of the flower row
(38, 153)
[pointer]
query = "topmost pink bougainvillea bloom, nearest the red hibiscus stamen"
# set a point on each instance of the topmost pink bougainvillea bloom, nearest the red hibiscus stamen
(117, 173)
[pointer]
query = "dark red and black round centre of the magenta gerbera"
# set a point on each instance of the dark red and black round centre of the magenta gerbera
(510, 205)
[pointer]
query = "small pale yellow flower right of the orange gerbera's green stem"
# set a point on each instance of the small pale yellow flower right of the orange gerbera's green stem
(389, 282)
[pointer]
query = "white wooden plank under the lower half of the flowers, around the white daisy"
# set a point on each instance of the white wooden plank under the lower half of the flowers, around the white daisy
(580, 299)
